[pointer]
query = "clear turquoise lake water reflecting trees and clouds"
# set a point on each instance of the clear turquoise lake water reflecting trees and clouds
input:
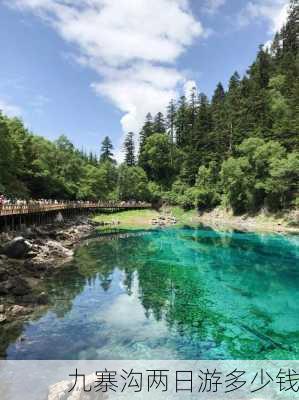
(172, 294)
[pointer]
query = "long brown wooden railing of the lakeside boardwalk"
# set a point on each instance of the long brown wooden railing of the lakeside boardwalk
(16, 209)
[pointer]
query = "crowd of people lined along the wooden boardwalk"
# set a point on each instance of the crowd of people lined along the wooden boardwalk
(7, 202)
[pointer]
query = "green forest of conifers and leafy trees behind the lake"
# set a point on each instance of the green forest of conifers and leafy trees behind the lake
(239, 149)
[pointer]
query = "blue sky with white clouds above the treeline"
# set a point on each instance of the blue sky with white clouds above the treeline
(92, 68)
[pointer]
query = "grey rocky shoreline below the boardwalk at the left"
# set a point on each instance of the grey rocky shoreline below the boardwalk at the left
(30, 256)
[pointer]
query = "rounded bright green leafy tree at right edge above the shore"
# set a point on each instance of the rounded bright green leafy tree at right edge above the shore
(263, 176)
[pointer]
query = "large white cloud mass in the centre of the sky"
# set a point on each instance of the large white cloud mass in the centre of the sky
(132, 44)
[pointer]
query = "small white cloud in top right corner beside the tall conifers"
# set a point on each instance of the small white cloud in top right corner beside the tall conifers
(273, 11)
